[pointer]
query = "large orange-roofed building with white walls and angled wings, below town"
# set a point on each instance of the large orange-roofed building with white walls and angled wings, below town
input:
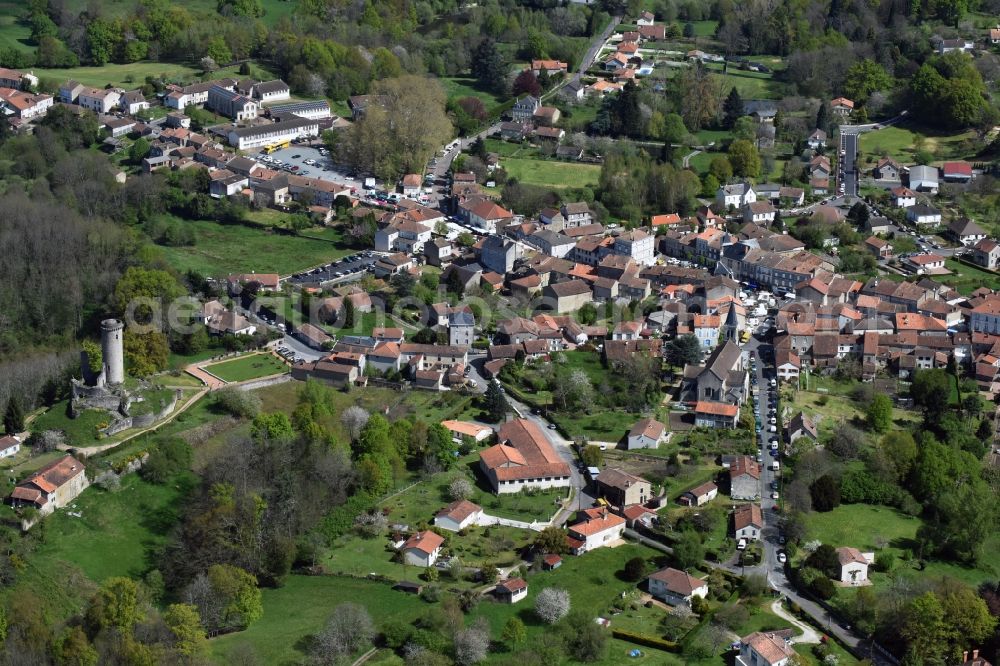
(524, 458)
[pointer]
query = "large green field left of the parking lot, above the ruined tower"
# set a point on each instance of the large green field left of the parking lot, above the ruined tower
(221, 249)
